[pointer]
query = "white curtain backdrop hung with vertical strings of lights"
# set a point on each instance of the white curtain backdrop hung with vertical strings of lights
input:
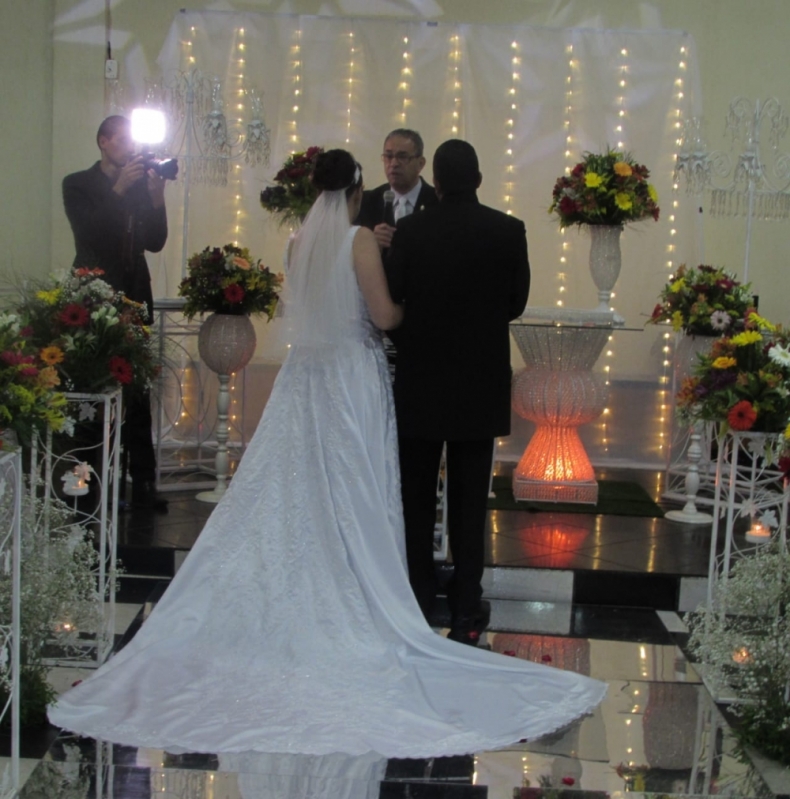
(531, 100)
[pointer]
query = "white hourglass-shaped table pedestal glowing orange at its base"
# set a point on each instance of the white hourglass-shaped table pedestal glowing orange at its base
(558, 391)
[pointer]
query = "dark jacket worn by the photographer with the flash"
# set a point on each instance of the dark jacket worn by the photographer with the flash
(112, 232)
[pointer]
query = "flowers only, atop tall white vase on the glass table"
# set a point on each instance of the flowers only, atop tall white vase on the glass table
(607, 189)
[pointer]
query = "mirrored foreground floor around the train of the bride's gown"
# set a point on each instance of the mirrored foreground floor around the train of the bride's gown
(657, 731)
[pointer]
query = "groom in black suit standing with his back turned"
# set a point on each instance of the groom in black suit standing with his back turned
(462, 272)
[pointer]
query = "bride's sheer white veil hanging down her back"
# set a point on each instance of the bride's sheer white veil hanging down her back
(319, 307)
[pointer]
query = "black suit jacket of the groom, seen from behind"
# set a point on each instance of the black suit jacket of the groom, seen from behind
(462, 272)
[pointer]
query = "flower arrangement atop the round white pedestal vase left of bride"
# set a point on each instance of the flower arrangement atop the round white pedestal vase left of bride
(228, 281)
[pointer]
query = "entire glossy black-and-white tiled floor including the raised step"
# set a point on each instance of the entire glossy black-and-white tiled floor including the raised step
(595, 594)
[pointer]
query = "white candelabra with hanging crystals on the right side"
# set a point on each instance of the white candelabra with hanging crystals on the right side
(748, 186)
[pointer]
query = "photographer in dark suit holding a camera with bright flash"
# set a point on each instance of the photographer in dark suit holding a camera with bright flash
(117, 211)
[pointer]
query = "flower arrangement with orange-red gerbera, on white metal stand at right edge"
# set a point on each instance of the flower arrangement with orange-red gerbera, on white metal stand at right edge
(744, 382)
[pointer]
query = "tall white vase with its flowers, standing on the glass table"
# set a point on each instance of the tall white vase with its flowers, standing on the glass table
(604, 192)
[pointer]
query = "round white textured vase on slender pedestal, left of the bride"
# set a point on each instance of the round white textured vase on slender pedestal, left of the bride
(226, 343)
